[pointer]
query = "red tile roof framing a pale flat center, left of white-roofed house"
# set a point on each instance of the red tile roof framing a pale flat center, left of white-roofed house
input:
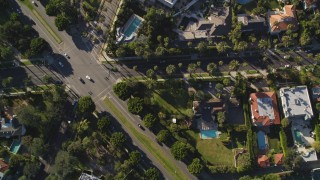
(264, 120)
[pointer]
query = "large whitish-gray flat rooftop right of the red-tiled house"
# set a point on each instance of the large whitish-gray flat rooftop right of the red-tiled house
(295, 102)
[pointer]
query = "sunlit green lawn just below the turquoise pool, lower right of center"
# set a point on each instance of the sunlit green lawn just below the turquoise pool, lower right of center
(213, 150)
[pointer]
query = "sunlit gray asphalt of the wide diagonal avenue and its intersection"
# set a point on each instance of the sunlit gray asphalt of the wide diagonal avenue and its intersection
(83, 62)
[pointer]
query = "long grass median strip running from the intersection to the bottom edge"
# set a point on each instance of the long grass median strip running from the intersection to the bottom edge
(151, 146)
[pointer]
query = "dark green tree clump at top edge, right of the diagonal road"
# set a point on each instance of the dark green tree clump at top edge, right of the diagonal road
(66, 14)
